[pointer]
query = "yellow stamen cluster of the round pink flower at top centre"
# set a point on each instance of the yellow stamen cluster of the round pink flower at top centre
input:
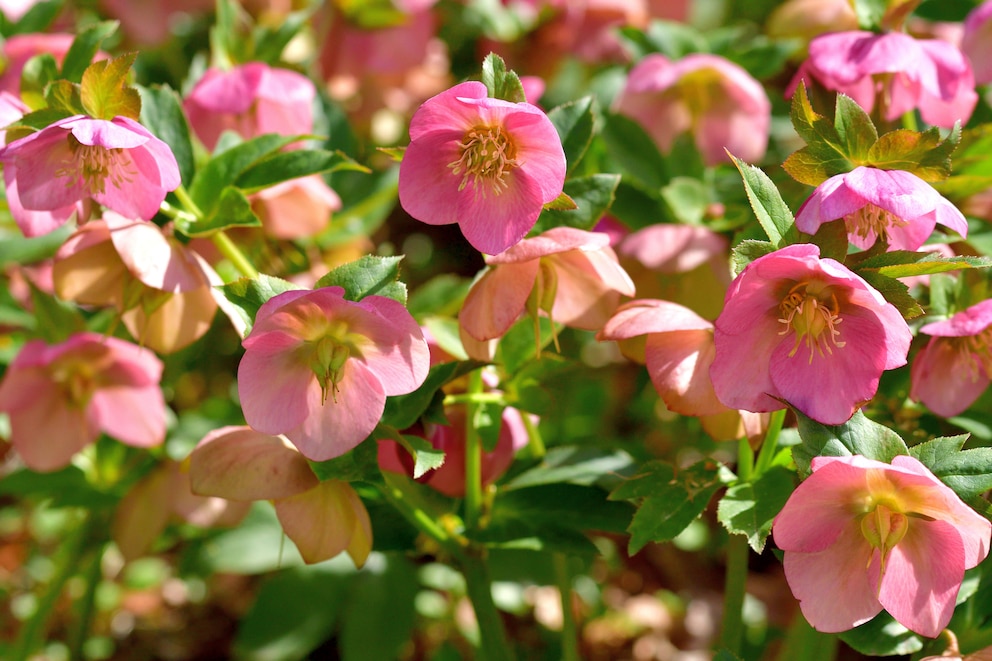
(488, 155)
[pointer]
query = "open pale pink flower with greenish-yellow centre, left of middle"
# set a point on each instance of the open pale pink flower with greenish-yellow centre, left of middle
(318, 367)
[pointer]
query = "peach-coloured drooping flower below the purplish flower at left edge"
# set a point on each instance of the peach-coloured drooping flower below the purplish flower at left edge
(163, 290)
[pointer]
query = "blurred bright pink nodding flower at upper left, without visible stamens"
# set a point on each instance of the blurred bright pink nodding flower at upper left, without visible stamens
(251, 99)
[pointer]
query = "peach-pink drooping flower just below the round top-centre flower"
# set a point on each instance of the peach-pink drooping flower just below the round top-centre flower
(569, 275)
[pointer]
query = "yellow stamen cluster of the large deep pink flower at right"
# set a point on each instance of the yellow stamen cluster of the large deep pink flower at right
(811, 310)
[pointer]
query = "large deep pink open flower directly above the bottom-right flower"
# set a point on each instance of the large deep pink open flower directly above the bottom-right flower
(807, 331)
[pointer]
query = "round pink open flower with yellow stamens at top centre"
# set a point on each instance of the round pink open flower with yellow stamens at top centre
(486, 164)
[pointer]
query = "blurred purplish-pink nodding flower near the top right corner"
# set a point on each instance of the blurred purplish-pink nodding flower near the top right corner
(925, 74)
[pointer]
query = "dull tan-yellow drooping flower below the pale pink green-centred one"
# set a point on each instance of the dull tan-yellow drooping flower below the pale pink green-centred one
(240, 464)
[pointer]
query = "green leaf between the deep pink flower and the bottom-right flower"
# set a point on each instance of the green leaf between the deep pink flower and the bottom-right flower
(859, 435)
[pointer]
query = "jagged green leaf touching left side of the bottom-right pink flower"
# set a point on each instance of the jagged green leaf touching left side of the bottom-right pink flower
(748, 508)
